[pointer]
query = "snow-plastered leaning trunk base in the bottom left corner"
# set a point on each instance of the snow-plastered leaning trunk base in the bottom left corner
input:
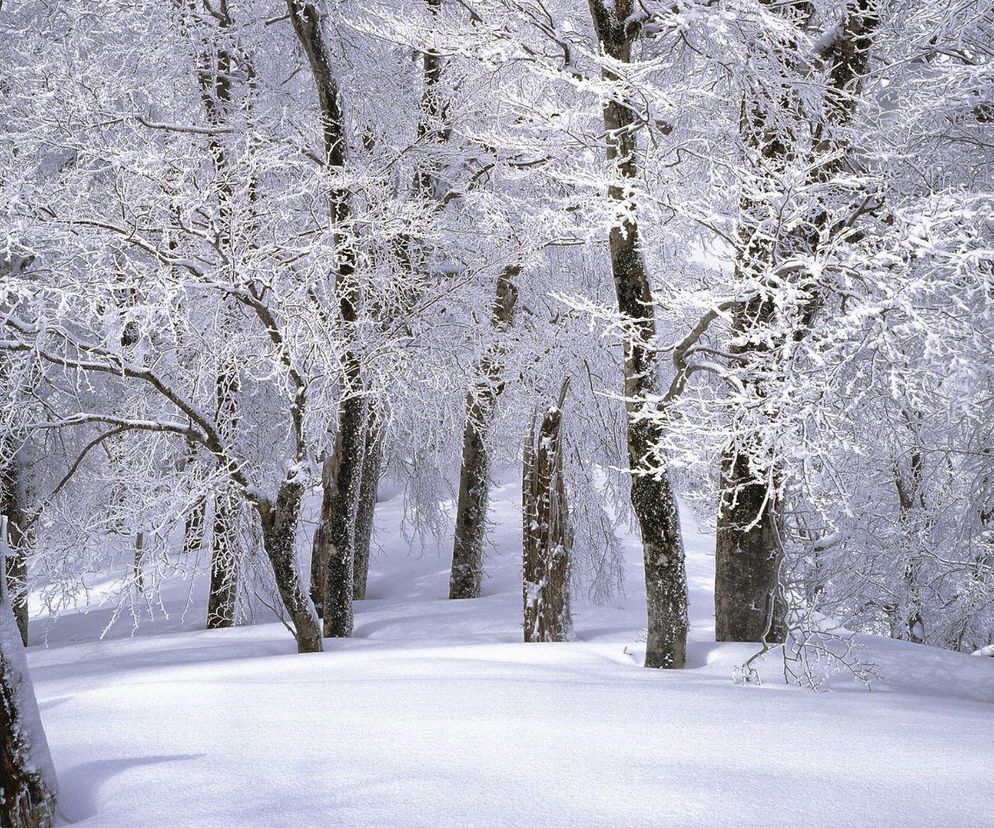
(27, 778)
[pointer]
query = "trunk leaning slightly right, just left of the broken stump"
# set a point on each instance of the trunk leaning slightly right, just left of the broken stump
(466, 576)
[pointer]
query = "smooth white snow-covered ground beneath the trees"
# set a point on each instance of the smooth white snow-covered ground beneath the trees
(435, 714)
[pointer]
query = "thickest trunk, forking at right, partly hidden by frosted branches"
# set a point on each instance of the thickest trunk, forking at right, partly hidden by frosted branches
(749, 602)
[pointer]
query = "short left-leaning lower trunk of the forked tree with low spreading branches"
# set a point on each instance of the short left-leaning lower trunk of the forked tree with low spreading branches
(279, 535)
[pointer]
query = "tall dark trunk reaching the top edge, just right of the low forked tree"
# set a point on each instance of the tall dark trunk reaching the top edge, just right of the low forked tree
(337, 552)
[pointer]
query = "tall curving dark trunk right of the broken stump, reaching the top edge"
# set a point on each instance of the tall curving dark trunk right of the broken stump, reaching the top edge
(652, 496)
